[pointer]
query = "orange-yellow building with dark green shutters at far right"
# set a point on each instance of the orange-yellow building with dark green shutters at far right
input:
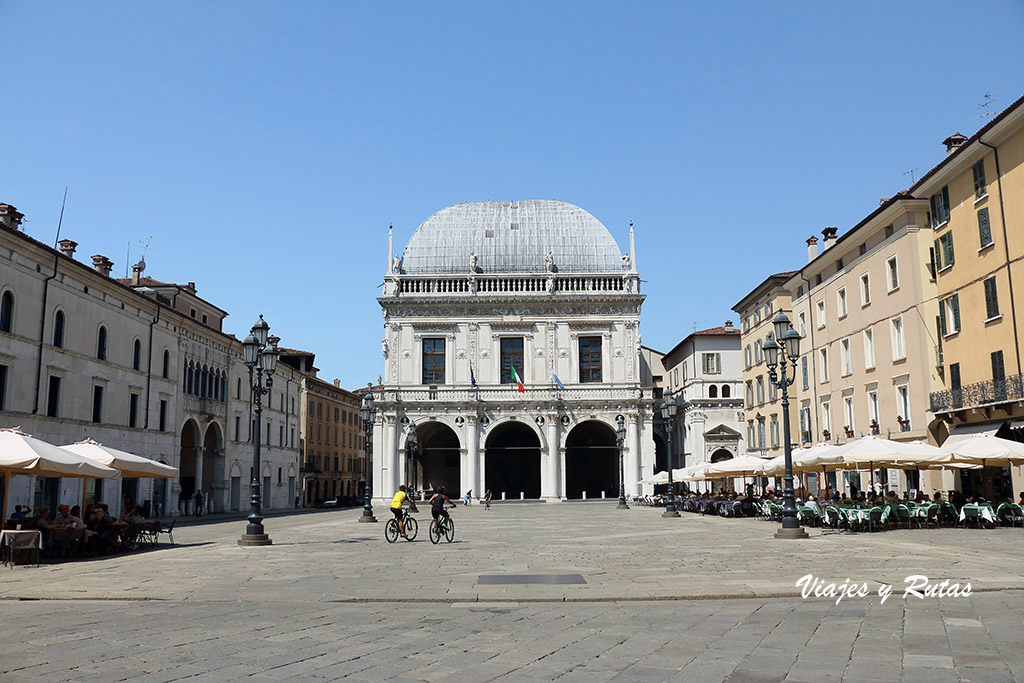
(976, 202)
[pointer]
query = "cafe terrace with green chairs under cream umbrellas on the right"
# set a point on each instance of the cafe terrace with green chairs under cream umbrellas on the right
(748, 487)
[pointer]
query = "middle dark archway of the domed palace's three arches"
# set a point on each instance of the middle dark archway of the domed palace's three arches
(513, 461)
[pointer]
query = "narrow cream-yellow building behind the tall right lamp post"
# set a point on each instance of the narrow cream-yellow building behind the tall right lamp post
(762, 401)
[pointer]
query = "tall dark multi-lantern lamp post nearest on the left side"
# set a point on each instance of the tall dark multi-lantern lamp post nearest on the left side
(261, 359)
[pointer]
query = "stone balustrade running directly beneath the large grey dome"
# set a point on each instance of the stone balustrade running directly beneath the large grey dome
(521, 285)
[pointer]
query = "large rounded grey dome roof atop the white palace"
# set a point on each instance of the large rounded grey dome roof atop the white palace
(511, 237)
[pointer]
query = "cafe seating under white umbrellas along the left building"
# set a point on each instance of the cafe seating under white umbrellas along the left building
(66, 533)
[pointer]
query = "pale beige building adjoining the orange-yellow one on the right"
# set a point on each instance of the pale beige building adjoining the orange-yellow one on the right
(866, 308)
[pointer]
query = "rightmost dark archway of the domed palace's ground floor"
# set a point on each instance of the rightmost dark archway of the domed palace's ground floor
(591, 461)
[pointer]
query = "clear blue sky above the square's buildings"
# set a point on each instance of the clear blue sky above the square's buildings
(267, 147)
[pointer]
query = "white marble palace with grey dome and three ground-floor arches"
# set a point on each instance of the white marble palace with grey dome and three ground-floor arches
(513, 350)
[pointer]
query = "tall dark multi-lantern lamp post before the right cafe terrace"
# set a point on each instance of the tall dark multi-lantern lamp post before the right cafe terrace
(790, 349)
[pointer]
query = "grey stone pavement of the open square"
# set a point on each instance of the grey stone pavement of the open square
(689, 600)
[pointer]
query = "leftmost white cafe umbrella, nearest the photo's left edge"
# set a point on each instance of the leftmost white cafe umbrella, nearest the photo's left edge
(21, 454)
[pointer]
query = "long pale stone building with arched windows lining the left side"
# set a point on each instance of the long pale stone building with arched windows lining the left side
(138, 365)
